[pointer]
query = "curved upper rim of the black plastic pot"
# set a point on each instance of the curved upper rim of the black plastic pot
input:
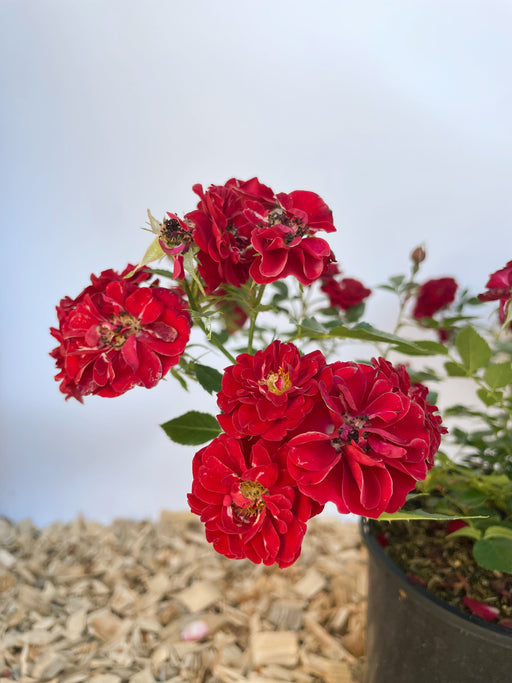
(428, 599)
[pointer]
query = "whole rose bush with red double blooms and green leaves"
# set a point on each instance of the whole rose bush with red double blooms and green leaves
(296, 430)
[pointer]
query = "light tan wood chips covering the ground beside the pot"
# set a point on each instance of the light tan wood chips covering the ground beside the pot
(140, 602)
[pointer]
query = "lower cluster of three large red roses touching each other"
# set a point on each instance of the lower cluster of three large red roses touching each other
(300, 432)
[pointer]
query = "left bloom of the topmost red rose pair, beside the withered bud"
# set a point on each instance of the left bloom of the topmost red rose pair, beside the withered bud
(222, 230)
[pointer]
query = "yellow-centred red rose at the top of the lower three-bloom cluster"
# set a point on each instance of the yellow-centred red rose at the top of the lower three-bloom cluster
(268, 394)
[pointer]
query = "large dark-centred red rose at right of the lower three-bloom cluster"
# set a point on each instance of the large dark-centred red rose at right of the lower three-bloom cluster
(370, 443)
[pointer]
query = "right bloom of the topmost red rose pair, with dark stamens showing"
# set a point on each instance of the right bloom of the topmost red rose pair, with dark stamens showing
(285, 242)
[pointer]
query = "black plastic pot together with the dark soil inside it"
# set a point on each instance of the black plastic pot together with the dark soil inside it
(413, 635)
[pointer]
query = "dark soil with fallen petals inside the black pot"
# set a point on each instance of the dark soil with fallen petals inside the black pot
(446, 567)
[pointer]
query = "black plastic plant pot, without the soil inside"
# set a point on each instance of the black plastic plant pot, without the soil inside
(413, 637)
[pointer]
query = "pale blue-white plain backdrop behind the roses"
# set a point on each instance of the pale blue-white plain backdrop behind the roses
(397, 113)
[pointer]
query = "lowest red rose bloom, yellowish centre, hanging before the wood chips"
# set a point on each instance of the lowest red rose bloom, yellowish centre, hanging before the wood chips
(250, 506)
